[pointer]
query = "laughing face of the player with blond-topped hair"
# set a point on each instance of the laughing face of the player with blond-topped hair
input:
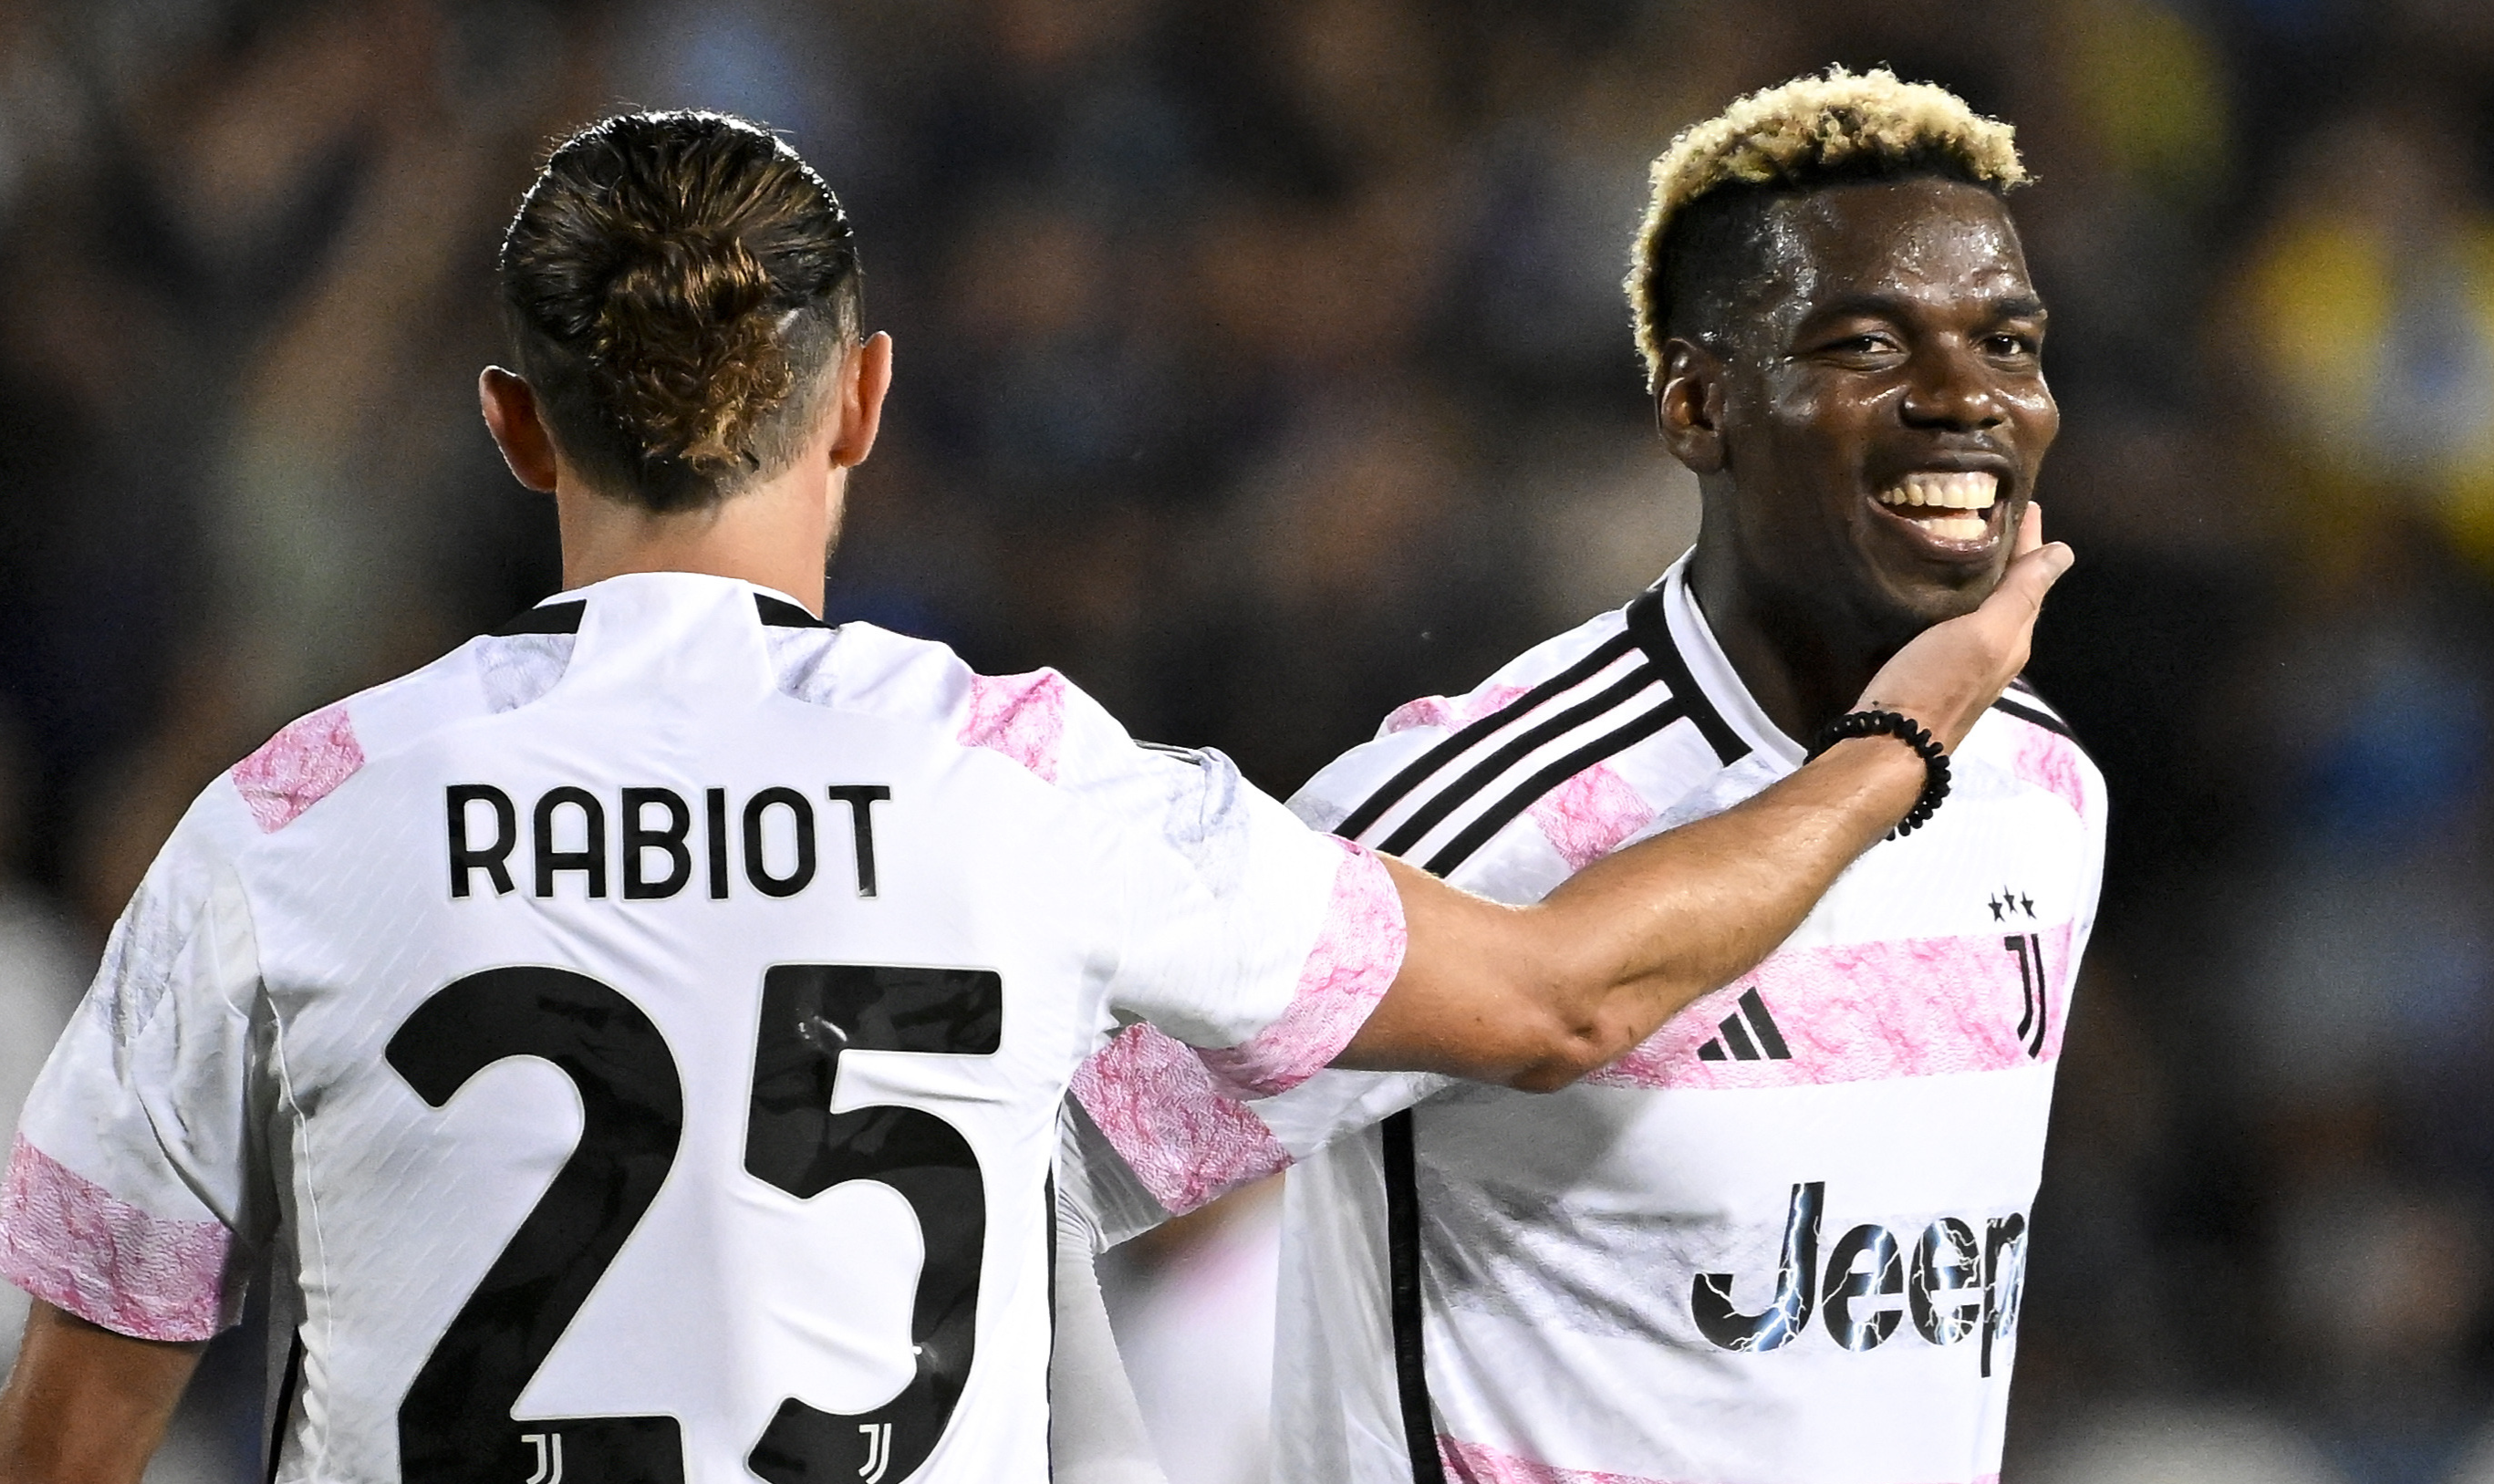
(1884, 405)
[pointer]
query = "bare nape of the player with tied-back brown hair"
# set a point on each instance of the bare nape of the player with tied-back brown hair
(774, 535)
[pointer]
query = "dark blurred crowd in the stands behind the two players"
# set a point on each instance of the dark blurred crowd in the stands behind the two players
(1263, 365)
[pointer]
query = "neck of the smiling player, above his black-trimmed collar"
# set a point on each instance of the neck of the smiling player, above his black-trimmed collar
(1799, 665)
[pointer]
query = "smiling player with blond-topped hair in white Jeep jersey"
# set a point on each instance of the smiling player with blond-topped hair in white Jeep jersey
(1784, 1236)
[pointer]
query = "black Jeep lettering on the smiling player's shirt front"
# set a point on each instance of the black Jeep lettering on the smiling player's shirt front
(1952, 1283)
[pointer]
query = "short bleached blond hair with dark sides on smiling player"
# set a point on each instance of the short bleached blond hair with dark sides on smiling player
(1814, 131)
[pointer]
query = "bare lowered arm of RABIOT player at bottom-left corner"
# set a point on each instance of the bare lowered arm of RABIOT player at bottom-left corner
(89, 1405)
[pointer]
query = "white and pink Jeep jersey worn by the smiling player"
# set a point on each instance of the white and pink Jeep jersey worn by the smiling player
(1779, 1241)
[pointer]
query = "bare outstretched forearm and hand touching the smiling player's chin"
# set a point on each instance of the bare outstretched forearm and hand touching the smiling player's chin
(1548, 994)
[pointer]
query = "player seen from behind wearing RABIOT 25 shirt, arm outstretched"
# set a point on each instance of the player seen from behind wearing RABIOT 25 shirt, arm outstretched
(637, 1039)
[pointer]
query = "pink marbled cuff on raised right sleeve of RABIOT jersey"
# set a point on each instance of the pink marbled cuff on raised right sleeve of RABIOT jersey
(1355, 959)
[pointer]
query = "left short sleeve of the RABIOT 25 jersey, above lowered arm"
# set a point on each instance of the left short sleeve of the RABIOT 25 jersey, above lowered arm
(133, 1164)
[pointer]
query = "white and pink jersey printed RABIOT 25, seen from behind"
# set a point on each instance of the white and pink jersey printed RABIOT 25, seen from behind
(640, 1041)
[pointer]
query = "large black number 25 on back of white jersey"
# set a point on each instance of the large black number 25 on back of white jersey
(458, 1428)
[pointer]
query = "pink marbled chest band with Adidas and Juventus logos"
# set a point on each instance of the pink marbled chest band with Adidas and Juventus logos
(1869, 1011)
